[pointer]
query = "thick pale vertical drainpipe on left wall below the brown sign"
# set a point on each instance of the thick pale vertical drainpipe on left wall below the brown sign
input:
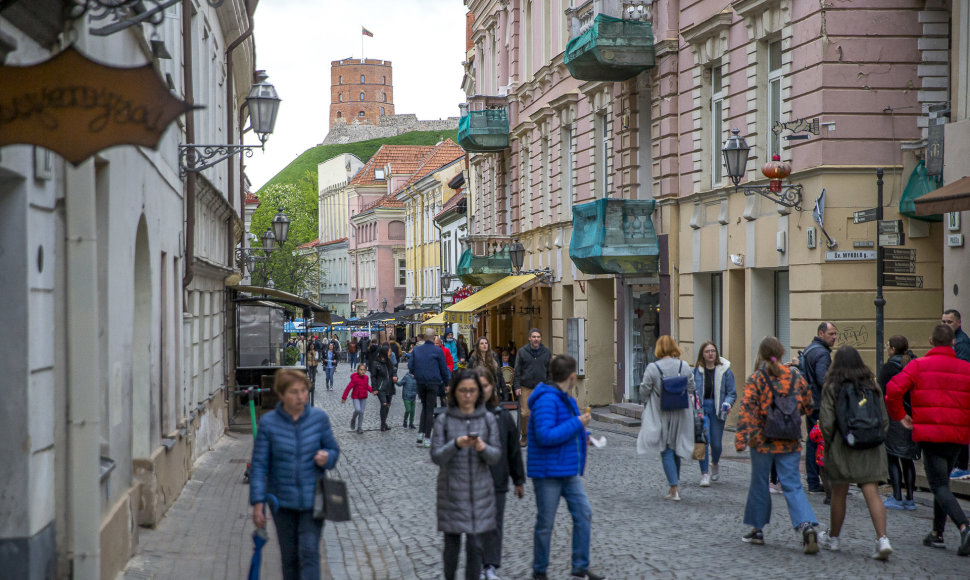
(83, 372)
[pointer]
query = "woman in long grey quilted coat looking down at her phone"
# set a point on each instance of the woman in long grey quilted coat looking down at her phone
(465, 442)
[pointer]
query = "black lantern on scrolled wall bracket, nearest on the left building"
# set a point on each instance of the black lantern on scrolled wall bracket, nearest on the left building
(263, 104)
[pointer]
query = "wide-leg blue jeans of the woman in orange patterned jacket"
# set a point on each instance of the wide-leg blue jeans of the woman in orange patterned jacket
(757, 510)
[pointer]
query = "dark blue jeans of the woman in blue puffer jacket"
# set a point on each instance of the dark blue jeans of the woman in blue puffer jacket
(299, 536)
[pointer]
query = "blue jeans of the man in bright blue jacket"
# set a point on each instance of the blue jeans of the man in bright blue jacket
(548, 490)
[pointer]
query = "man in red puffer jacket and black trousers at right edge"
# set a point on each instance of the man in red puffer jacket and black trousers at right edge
(940, 394)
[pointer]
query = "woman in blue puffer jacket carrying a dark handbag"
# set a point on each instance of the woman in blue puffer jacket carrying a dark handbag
(294, 446)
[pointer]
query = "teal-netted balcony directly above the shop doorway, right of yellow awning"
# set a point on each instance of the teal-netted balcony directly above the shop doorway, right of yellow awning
(614, 236)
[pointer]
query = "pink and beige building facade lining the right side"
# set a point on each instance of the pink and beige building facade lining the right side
(734, 266)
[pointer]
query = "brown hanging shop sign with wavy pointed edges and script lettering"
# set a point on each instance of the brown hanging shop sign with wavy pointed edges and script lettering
(76, 106)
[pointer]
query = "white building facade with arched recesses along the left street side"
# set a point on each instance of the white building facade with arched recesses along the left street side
(115, 271)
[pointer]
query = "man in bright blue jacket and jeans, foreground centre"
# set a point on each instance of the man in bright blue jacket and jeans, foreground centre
(557, 457)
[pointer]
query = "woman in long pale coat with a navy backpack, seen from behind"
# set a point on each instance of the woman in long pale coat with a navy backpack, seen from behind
(669, 432)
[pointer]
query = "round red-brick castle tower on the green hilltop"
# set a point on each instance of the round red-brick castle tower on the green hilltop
(360, 90)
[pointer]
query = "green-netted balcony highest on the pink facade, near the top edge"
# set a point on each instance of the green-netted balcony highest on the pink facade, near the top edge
(611, 49)
